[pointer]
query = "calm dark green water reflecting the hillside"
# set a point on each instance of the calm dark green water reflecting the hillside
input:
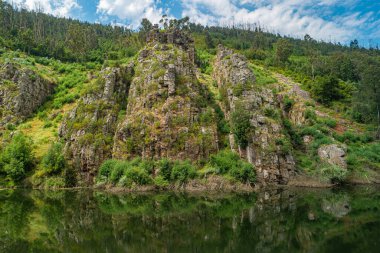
(345, 220)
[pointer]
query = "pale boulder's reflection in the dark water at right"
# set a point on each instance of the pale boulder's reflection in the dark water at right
(338, 206)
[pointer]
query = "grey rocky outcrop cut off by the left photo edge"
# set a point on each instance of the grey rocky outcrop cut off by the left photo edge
(22, 91)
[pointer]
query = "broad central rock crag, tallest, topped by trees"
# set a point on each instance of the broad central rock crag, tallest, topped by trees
(167, 113)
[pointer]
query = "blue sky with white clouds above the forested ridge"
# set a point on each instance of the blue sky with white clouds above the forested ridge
(328, 20)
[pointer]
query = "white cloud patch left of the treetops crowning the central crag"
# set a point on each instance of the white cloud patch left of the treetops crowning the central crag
(131, 10)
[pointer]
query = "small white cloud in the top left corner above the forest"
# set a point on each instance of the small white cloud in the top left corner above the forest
(61, 8)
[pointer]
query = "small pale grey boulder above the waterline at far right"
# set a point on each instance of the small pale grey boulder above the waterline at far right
(333, 154)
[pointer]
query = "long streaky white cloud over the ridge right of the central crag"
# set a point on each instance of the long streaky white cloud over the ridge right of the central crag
(288, 17)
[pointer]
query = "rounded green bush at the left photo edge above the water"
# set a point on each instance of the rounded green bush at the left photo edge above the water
(16, 159)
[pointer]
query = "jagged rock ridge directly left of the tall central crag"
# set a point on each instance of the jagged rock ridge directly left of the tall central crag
(89, 128)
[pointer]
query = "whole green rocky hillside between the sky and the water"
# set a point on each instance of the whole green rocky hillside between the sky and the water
(187, 107)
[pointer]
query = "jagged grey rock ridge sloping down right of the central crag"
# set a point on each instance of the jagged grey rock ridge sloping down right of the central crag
(267, 145)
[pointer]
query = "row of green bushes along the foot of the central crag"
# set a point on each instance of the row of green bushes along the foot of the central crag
(163, 172)
